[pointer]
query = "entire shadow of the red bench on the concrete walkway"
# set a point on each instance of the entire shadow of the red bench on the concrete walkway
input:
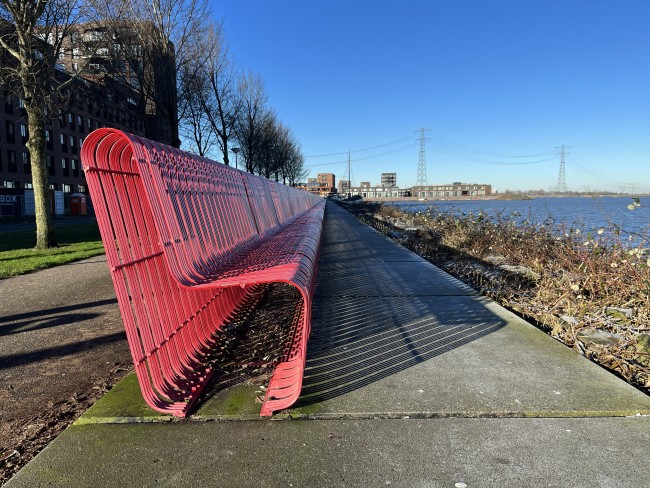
(380, 310)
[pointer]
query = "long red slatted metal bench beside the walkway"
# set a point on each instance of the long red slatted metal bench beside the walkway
(187, 241)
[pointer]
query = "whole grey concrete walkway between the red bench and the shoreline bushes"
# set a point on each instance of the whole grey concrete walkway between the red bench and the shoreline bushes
(412, 380)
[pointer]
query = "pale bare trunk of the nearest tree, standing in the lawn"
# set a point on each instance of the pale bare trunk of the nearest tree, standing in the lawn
(43, 204)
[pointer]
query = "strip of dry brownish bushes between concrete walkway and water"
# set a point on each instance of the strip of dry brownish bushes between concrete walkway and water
(591, 291)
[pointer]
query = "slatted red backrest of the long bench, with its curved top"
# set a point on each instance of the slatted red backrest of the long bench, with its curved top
(192, 199)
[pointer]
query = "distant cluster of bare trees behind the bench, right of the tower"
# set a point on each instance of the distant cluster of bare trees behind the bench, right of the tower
(222, 107)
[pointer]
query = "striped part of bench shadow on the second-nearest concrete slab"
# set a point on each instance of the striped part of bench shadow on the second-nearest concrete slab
(363, 340)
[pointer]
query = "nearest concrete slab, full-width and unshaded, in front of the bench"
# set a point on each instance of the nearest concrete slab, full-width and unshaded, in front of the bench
(445, 453)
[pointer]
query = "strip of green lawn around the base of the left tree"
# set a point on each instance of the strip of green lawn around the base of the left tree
(17, 255)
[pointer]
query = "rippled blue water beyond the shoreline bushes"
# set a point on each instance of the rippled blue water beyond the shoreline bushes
(586, 213)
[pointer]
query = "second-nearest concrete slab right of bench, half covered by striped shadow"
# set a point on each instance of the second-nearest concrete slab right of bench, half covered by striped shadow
(434, 356)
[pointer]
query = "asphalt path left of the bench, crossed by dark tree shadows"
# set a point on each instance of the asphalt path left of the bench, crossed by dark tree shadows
(61, 343)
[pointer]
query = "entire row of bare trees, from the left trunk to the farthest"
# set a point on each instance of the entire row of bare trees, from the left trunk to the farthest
(217, 106)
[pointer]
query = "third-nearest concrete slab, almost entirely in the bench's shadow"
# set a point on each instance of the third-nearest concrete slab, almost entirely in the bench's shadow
(364, 278)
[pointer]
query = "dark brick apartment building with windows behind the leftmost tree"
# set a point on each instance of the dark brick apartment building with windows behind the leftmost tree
(92, 102)
